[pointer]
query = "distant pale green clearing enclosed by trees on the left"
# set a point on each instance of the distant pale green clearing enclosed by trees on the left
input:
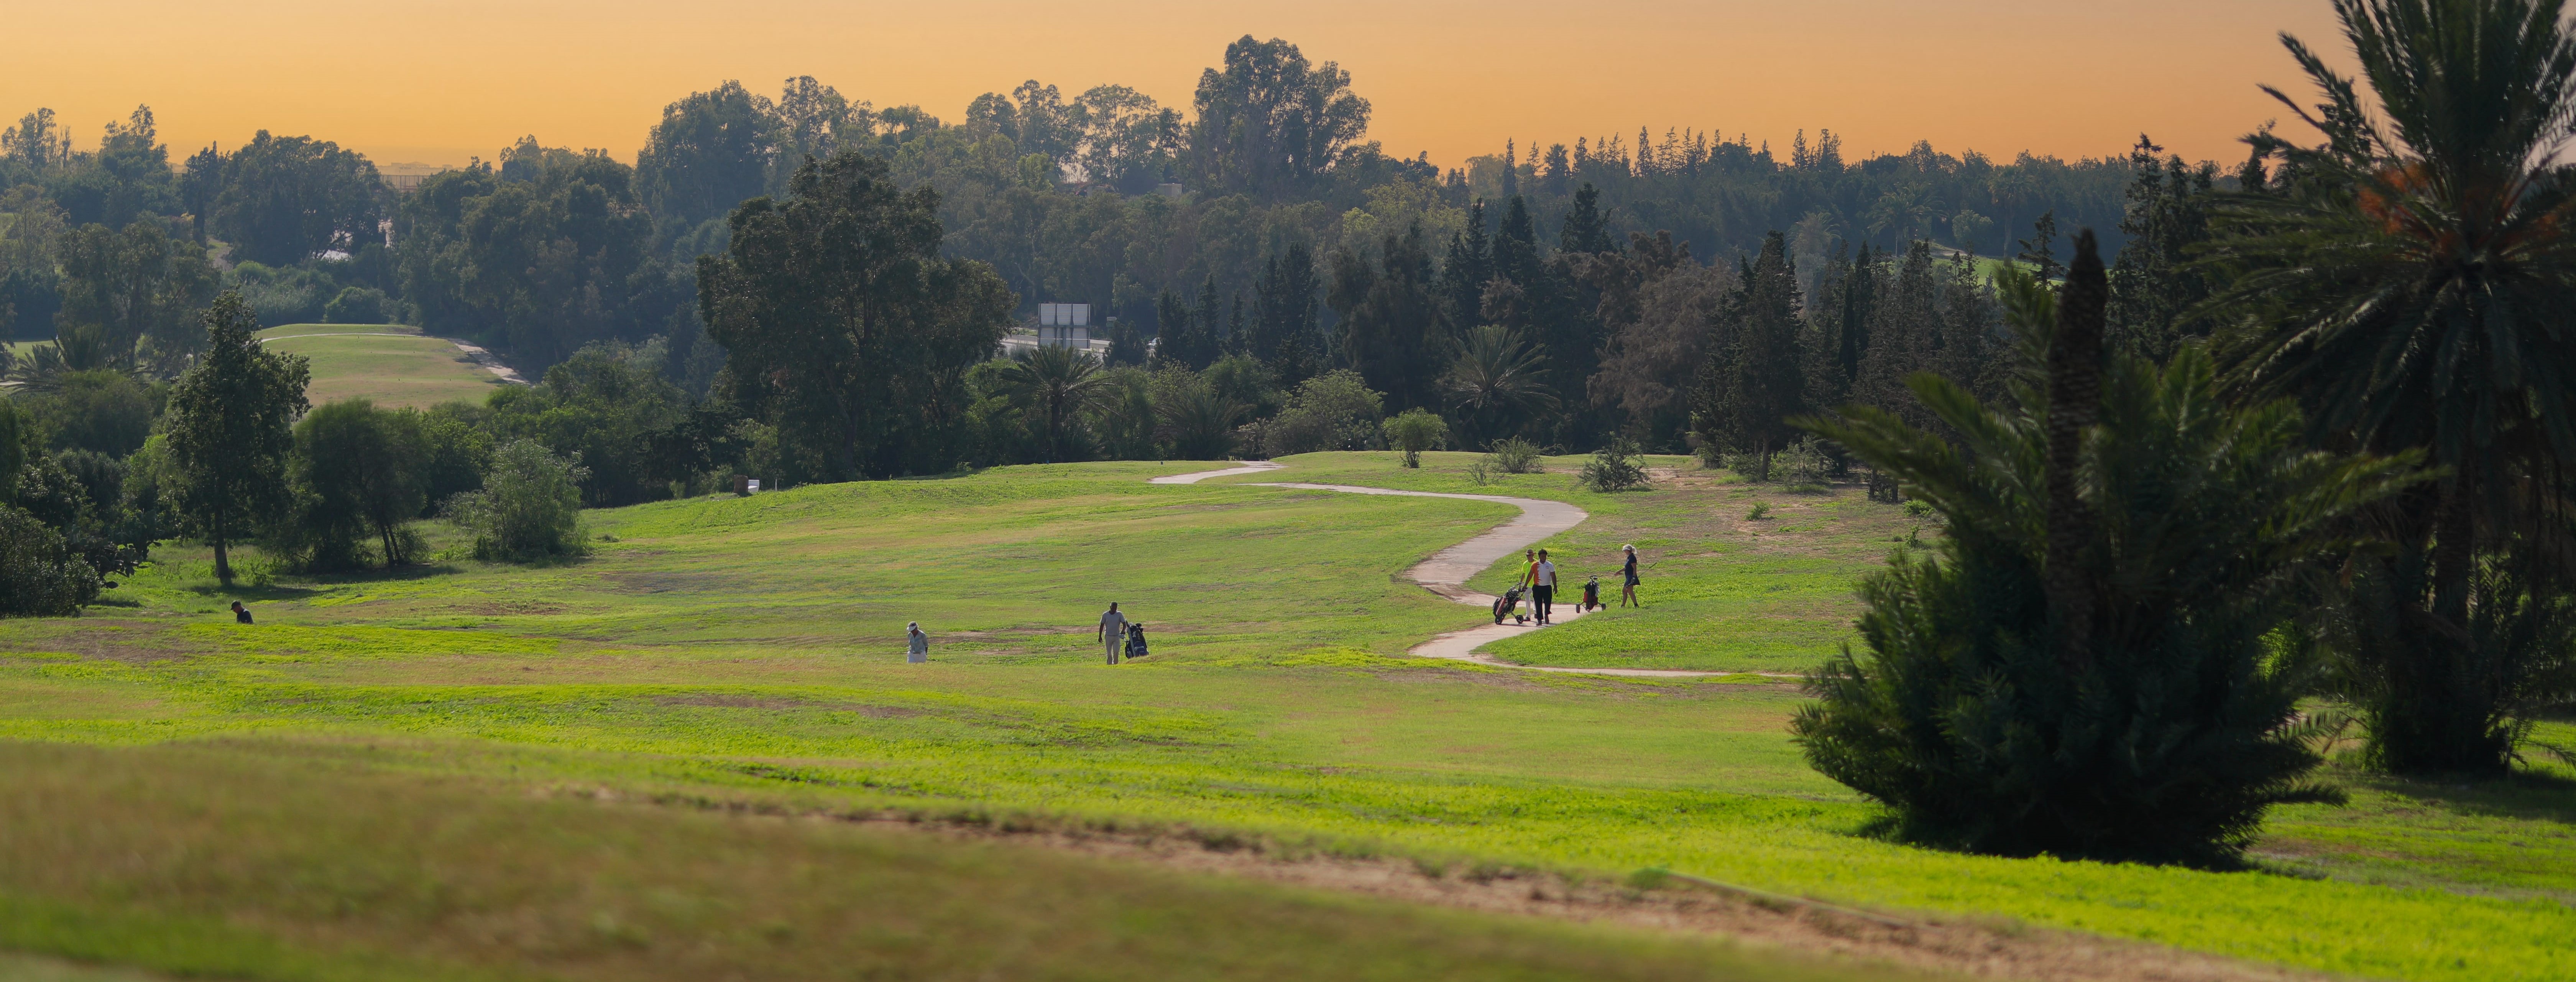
(390, 365)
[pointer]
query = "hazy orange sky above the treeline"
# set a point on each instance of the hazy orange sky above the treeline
(437, 81)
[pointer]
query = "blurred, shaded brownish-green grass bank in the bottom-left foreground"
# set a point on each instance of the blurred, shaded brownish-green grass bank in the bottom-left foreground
(313, 870)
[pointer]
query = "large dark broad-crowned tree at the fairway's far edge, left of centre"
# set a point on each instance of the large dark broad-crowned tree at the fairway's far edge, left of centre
(844, 323)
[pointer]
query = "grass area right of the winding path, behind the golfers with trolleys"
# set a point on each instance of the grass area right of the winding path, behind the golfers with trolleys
(1722, 592)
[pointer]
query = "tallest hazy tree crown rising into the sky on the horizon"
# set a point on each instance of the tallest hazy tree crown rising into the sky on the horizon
(1271, 122)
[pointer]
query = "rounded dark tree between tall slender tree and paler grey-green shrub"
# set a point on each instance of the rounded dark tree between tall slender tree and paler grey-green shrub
(365, 470)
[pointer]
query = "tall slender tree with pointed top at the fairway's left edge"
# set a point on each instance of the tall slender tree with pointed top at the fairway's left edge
(231, 432)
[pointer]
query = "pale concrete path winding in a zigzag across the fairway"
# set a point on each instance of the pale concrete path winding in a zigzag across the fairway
(1449, 571)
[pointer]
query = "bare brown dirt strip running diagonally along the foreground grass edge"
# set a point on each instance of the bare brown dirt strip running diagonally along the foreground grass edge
(1990, 950)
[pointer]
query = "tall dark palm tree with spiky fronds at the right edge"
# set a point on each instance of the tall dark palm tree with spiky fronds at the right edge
(2415, 285)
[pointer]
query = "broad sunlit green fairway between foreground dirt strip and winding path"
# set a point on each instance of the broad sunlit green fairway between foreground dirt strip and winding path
(746, 651)
